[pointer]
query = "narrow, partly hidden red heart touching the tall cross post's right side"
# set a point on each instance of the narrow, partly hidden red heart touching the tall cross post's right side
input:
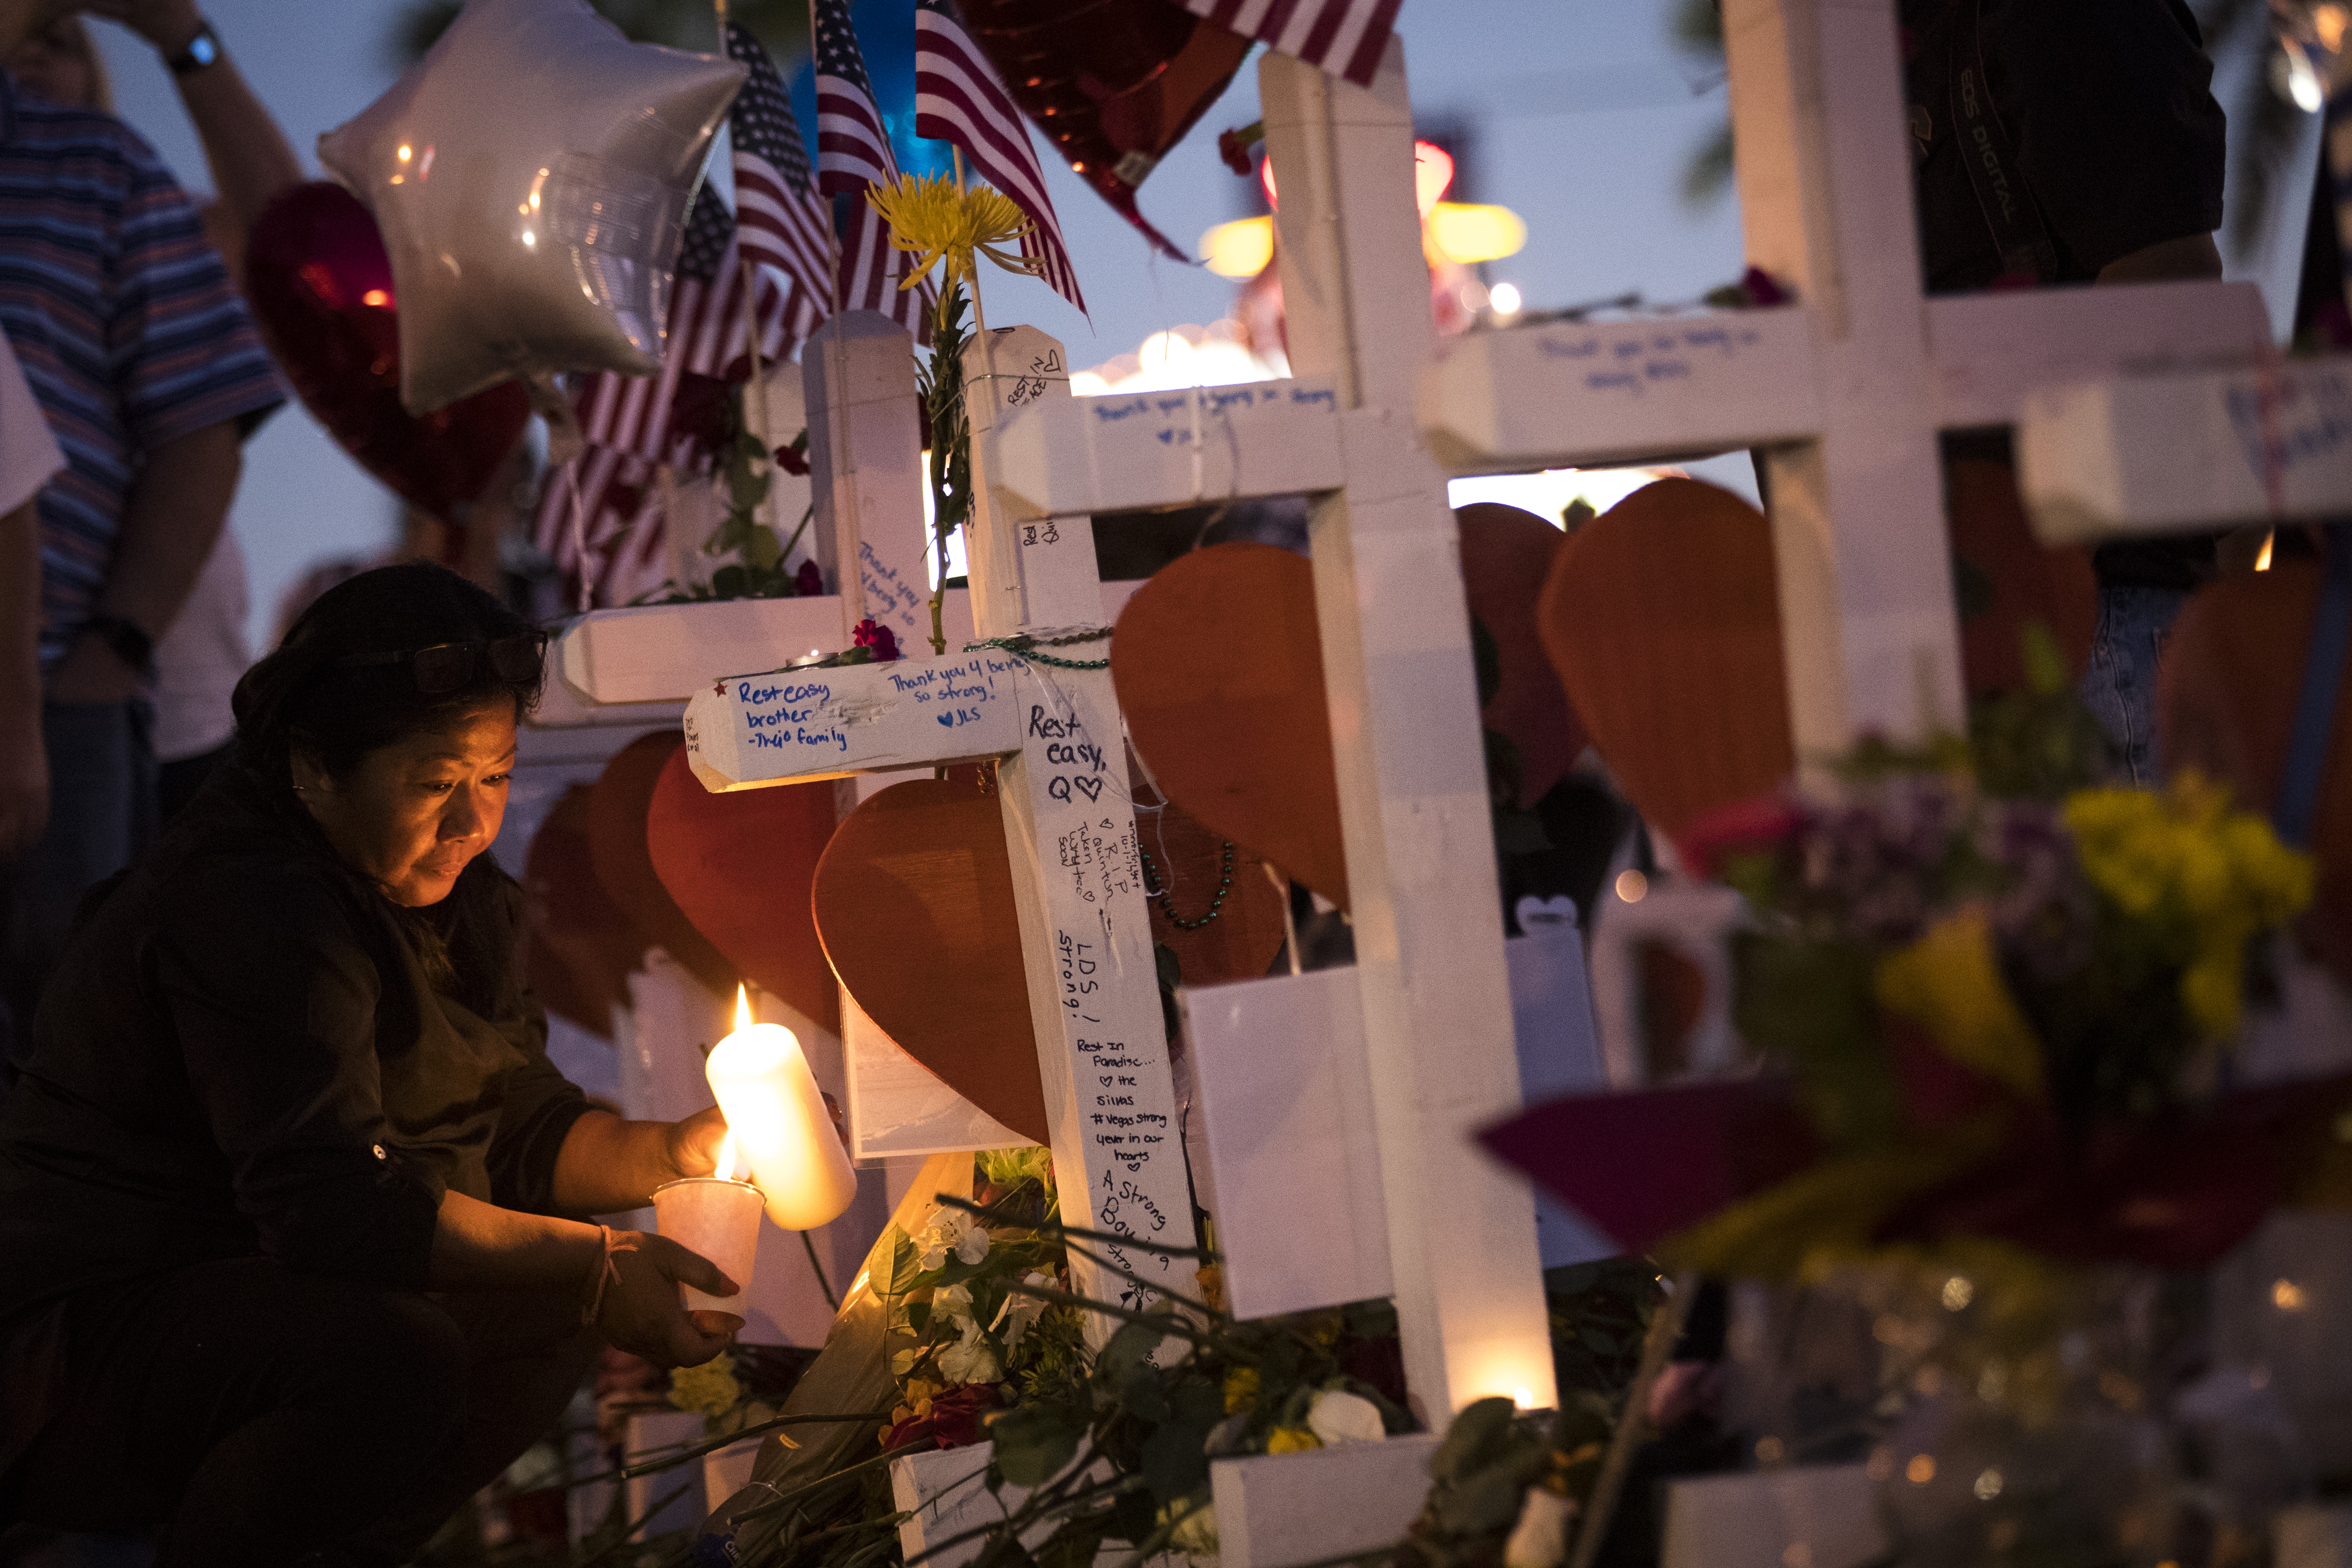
(1506, 558)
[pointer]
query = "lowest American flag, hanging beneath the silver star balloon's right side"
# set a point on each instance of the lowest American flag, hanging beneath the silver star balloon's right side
(629, 424)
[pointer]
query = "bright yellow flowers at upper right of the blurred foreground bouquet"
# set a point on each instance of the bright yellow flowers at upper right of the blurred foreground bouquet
(2200, 878)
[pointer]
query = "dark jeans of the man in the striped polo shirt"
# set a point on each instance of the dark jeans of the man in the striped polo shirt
(102, 817)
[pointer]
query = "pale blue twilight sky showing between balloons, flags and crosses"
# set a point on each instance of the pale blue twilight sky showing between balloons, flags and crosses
(1582, 116)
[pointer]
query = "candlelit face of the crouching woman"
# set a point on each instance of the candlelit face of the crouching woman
(417, 812)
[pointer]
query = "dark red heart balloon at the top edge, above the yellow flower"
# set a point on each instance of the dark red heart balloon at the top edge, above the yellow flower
(1111, 83)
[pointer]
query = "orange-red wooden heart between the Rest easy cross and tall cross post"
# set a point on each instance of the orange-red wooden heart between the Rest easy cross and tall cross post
(1220, 674)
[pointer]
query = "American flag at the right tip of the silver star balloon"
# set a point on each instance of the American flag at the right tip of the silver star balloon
(780, 217)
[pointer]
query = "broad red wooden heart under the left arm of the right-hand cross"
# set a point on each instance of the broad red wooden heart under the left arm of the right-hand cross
(1664, 624)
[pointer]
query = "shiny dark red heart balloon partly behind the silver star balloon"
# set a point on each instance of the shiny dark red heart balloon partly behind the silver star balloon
(321, 290)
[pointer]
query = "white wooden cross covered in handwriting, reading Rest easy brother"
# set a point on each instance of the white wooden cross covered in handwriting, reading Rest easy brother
(1062, 775)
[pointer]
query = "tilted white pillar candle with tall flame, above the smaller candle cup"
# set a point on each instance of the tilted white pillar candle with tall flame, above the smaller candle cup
(777, 1118)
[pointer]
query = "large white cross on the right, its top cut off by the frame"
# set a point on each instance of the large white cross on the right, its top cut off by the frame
(1845, 389)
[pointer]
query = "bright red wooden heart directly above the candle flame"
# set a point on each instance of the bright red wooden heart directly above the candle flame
(740, 869)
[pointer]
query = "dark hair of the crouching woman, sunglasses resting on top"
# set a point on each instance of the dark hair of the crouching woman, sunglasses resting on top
(312, 697)
